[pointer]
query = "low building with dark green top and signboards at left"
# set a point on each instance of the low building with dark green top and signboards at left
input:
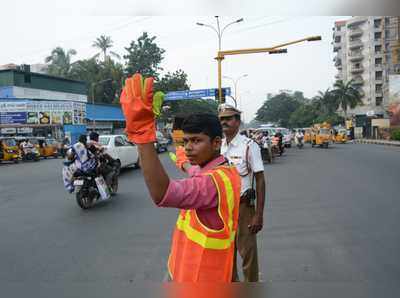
(41, 105)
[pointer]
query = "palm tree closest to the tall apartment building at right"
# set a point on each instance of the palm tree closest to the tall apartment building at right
(347, 95)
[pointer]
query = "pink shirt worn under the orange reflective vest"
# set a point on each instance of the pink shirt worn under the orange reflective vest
(197, 192)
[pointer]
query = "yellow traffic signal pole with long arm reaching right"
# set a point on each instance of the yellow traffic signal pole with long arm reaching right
(271, 50)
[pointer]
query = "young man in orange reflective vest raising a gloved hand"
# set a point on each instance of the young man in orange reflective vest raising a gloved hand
(202, 247)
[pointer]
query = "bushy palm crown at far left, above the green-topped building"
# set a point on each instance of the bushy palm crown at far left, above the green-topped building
(59, 62)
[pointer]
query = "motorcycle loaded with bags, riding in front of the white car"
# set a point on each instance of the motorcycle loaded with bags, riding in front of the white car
(91, 187)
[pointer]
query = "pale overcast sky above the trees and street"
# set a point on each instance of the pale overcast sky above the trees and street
(307, 67)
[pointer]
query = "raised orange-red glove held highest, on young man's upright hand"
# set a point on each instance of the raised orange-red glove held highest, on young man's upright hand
(138, 107)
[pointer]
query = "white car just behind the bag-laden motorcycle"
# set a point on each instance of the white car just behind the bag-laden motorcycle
(120, 149)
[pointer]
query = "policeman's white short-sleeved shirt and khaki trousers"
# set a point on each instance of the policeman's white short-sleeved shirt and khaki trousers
(246, 242)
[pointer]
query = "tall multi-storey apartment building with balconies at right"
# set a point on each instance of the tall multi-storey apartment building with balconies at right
(366, 54)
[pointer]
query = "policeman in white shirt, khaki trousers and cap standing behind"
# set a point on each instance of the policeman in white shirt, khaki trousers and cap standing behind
(245, 154)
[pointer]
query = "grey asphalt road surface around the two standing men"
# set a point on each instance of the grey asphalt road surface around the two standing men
(331, 228)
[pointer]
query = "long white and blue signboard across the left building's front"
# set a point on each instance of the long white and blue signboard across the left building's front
(42, 112)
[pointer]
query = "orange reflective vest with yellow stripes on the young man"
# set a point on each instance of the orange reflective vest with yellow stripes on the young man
(201, 254)
